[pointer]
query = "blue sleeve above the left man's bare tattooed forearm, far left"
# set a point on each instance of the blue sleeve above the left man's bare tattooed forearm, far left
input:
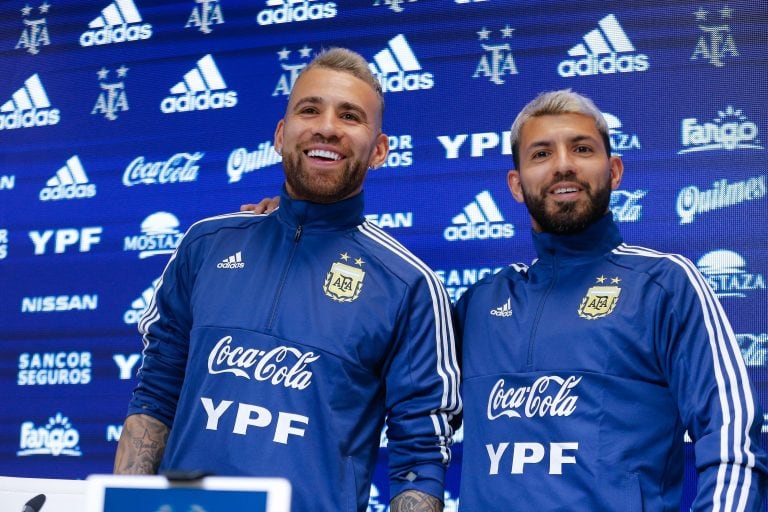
(165, 327)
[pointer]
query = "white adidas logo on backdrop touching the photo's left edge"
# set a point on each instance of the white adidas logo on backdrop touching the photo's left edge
(29, 107)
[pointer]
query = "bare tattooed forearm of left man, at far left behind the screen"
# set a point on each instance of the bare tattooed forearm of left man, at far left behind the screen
(141, 446)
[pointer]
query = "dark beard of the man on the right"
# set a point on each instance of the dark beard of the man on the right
(569, 217)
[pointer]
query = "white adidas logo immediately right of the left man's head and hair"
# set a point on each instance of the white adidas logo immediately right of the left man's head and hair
(398, 69)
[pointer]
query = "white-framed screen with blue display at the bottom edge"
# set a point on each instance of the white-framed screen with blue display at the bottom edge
(122, 493)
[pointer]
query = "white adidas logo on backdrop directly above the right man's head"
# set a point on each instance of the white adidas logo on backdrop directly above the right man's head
(605, 50)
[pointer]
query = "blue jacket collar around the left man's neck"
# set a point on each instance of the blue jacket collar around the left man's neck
(339, 216)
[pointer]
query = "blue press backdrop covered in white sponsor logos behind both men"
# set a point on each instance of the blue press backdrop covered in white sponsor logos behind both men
(122, 122)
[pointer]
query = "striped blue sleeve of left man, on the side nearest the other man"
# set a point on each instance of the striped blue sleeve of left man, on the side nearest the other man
(422, 395)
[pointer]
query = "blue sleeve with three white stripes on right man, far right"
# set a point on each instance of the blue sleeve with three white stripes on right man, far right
(718, 406)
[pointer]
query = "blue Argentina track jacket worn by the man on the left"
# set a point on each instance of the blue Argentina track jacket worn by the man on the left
(275, 345)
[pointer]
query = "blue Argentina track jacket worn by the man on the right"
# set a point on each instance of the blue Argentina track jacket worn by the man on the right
(582, 373)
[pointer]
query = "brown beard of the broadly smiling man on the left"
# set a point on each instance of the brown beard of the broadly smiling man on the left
(306, 187)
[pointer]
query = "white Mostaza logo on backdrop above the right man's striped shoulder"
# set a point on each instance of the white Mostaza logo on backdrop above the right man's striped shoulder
(726, 273)
